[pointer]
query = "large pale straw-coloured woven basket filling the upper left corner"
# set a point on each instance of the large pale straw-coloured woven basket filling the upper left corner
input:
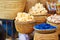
(9, 8)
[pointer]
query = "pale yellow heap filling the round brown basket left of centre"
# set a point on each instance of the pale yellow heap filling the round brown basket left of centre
(24, 17)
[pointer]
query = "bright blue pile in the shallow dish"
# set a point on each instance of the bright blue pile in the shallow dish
(44, 26)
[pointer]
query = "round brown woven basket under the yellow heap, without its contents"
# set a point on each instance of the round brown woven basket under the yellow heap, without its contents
(24, 28)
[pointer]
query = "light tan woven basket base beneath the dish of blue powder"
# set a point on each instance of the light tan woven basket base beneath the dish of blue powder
(52, 36)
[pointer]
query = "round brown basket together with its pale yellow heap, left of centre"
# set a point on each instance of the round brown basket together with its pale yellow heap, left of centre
(24, 23)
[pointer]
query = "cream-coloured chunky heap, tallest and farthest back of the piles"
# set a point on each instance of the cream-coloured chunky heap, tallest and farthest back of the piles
(38, 9)
